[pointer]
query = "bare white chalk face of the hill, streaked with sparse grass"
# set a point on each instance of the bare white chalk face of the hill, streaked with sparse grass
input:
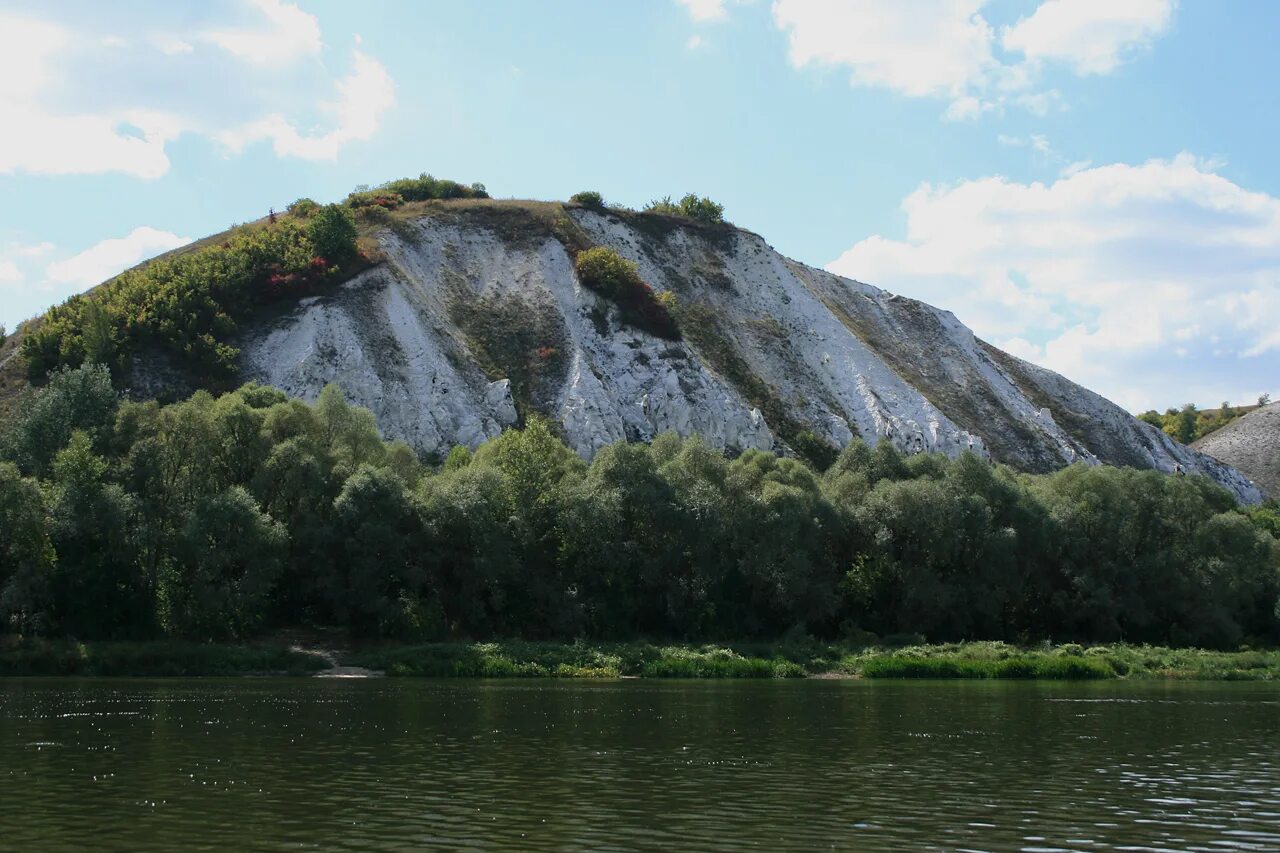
(470, 323)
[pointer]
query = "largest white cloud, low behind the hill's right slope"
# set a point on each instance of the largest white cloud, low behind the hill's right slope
(1108, 276)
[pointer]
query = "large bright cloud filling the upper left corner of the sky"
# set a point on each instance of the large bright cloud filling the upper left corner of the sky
(57, 124)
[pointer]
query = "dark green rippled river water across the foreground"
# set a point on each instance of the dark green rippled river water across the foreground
(621, 765)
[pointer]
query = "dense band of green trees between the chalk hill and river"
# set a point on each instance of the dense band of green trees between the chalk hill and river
(218, 518)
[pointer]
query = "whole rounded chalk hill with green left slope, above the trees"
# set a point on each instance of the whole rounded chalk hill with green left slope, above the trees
(452, 316)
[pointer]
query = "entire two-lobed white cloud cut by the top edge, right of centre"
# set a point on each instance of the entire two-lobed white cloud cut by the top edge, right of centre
(948, 48)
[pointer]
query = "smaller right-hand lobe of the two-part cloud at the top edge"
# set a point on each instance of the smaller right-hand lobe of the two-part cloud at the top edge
(1094, 37)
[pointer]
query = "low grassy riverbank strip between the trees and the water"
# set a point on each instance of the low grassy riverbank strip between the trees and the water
(979, 660)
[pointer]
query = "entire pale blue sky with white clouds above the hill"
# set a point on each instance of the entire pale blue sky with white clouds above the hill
(1091, 185)
